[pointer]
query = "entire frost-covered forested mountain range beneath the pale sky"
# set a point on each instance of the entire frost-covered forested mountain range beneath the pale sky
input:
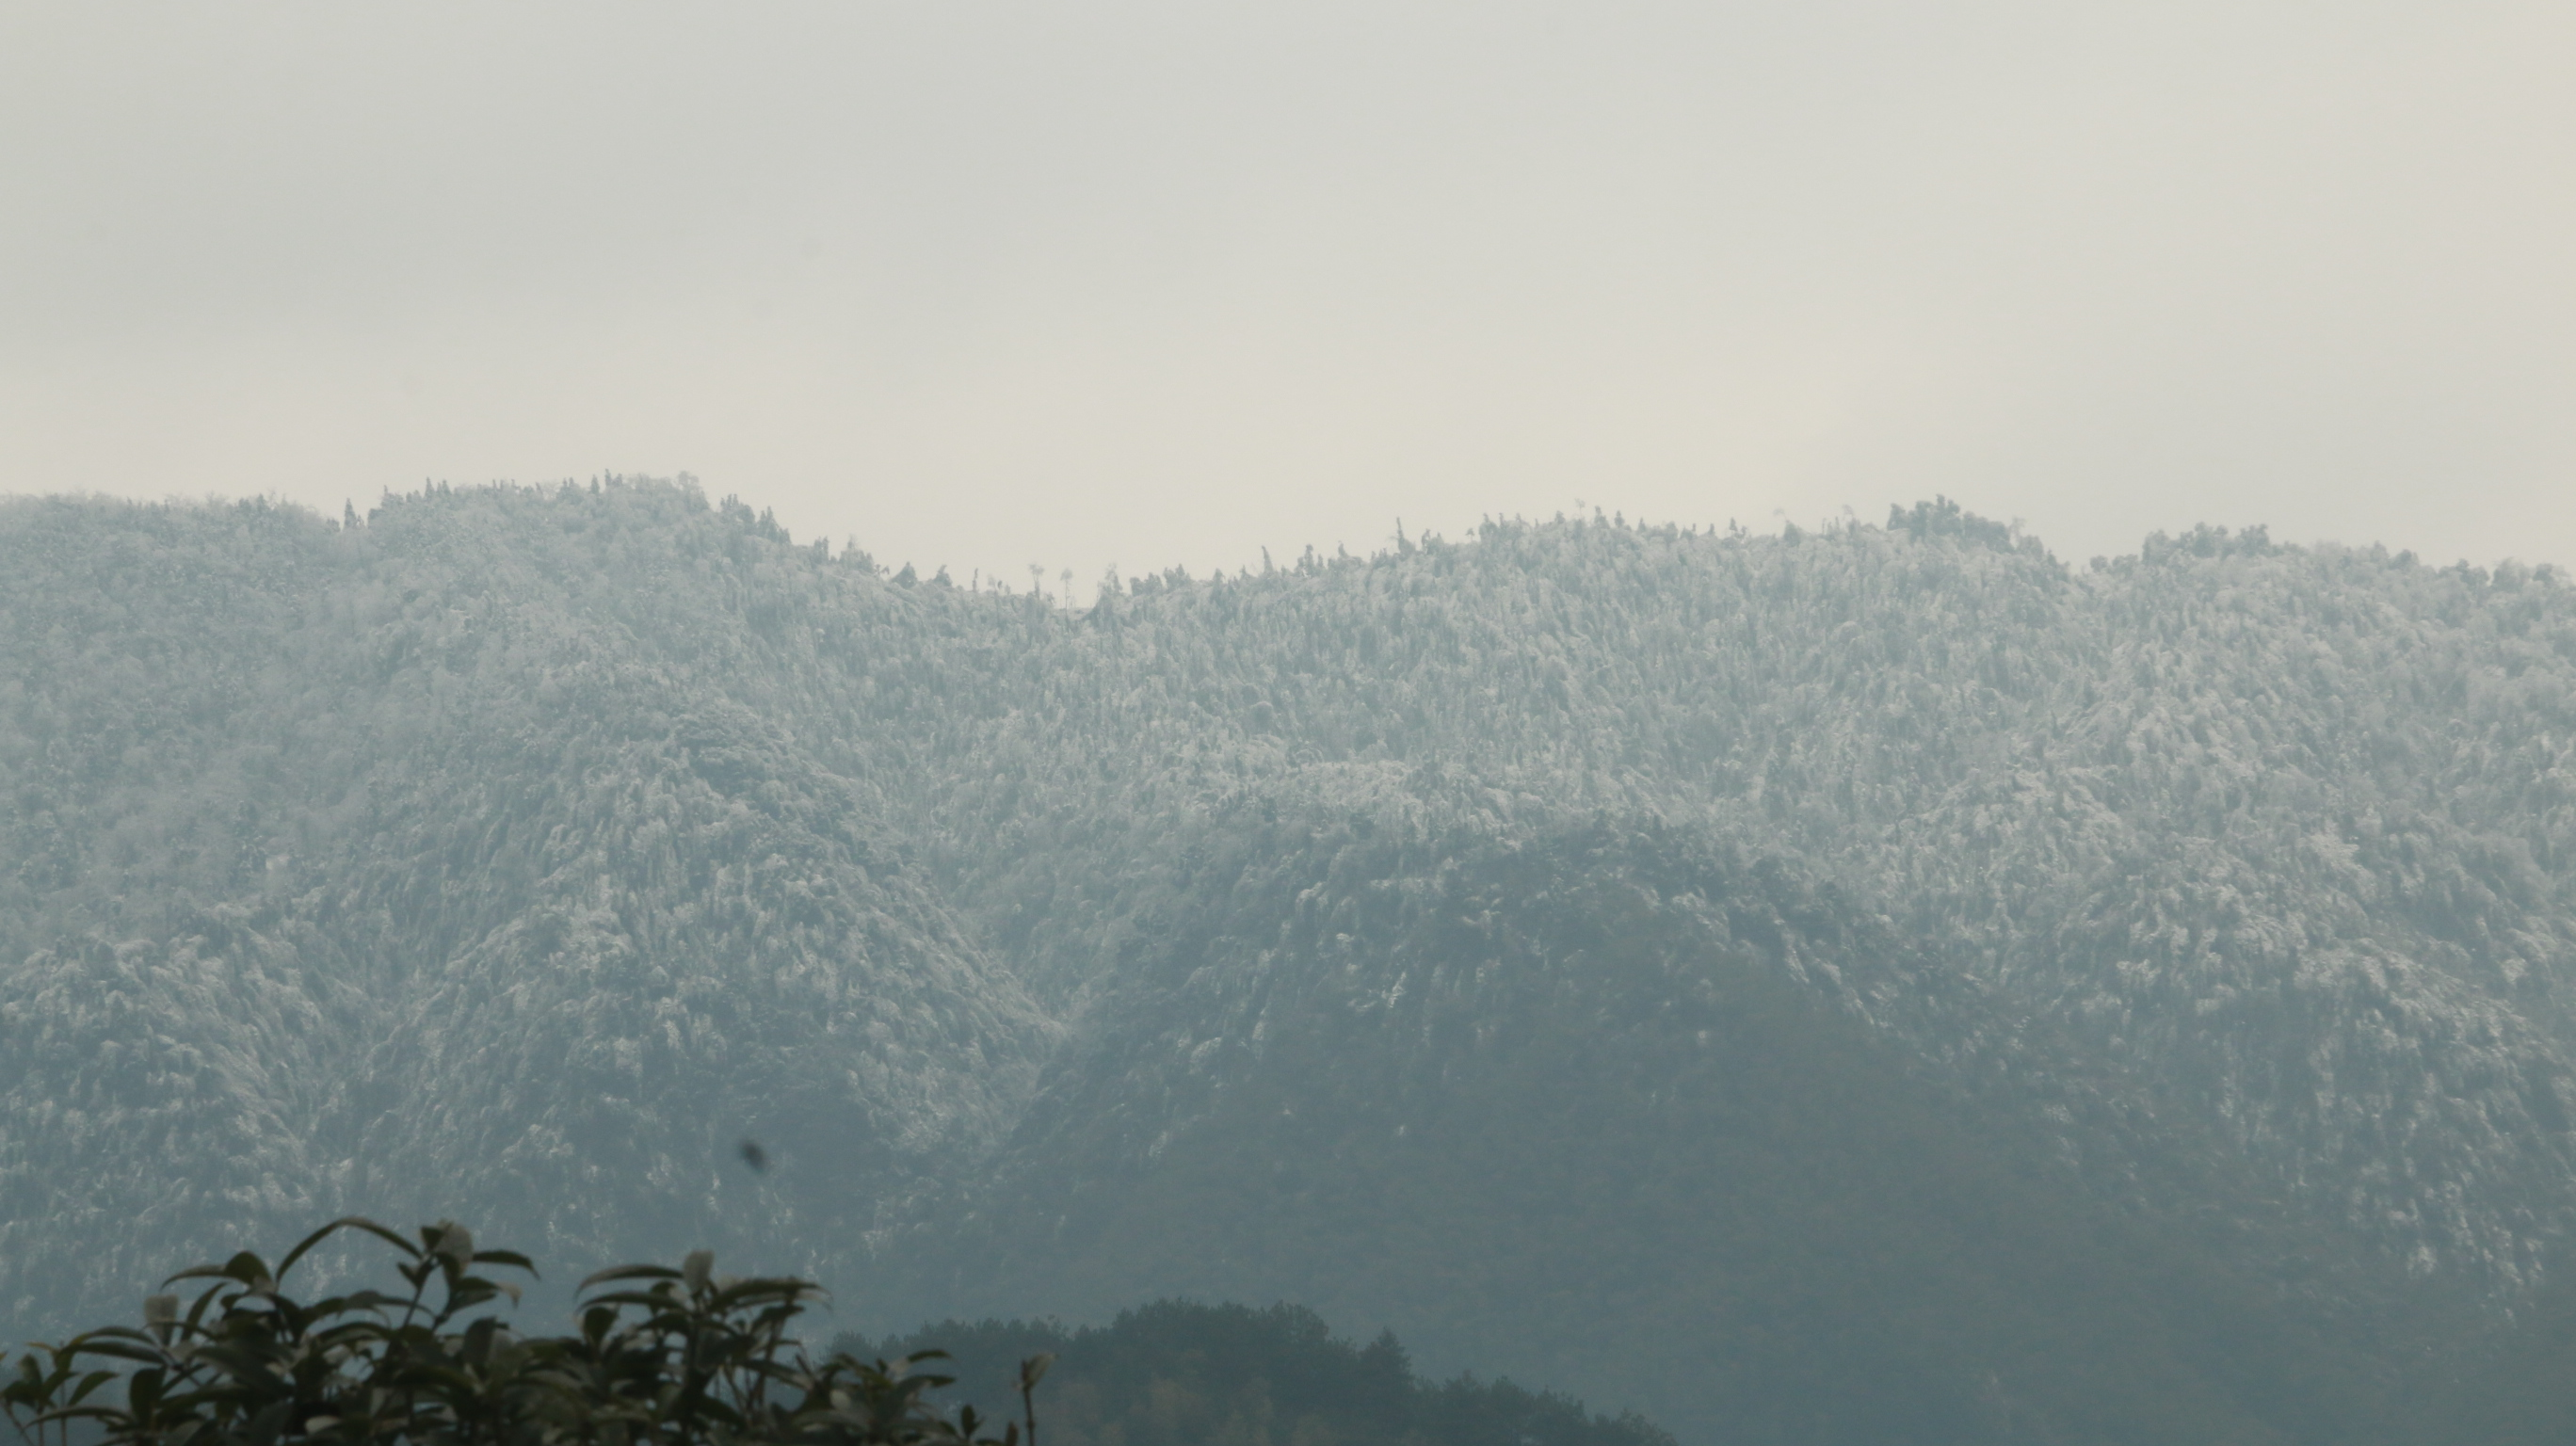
(1859, 986)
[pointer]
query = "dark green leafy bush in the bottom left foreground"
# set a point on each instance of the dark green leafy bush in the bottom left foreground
(661, 1360)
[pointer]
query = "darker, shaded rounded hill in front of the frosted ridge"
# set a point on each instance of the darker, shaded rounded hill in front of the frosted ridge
(1449, 1084)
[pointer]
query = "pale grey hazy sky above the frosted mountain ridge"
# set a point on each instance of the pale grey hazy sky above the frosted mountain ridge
(1148, 285)
